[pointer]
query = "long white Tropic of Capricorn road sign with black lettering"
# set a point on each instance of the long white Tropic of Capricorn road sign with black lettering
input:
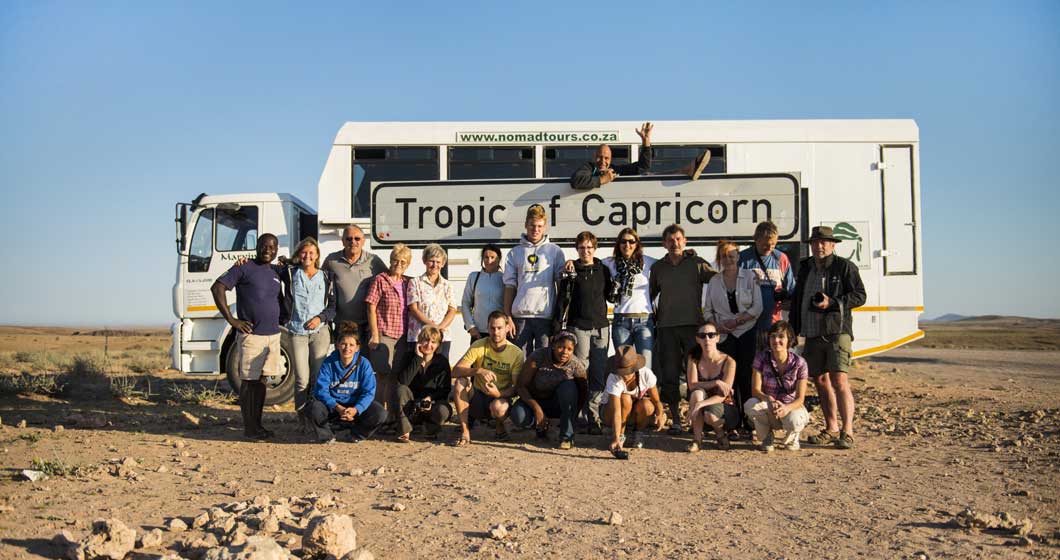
(475, 213)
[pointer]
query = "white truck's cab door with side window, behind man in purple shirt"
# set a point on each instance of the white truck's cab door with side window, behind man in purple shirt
(221, 237)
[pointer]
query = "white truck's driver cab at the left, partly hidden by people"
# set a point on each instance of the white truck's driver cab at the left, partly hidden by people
(213, 234)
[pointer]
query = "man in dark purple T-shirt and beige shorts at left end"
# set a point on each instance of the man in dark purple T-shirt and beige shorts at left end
(260, 309)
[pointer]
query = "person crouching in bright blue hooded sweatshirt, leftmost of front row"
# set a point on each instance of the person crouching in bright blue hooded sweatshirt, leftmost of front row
(344, 396)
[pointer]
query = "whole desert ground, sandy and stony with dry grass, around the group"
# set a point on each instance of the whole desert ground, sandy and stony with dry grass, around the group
(957, 457)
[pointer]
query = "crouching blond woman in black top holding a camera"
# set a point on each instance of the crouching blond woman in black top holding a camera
(422, 396)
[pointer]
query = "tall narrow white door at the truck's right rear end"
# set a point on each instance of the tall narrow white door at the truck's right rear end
(899, 225)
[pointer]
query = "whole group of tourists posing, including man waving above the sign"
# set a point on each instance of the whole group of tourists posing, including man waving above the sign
(541, 334)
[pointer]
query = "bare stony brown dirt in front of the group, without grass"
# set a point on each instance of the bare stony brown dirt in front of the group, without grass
(940, 431)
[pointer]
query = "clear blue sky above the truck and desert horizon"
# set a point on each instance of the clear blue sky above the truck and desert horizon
(113, 112)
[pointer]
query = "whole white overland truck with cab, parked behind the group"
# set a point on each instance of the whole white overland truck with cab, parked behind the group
(466, 184)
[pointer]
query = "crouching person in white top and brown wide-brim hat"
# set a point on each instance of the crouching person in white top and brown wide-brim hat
(631, 390)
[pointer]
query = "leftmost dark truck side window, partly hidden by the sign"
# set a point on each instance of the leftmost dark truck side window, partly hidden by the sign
(390, 164)
